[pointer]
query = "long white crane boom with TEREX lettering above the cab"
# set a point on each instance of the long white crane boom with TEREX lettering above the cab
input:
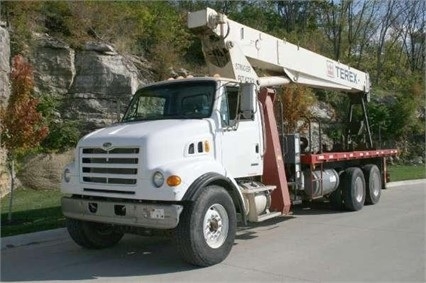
(248, 55)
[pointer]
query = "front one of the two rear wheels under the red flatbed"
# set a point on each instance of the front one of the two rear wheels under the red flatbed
(353, 189)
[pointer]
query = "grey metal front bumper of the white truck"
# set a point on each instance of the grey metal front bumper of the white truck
(157, 216)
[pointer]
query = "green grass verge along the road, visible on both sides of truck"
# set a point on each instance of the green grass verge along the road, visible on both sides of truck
(40, 210)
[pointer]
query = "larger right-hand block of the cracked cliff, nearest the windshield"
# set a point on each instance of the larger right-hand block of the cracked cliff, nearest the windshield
(103, 85)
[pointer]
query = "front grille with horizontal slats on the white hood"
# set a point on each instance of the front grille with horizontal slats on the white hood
(118, 166)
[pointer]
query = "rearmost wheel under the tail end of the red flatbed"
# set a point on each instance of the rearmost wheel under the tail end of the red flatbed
(373, 181)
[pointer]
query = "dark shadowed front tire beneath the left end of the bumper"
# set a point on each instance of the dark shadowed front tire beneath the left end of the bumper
(92, 235)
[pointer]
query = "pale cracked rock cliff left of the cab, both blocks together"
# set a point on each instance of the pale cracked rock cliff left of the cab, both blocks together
(95, 84)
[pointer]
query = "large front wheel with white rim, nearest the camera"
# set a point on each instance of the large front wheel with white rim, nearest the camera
(206, 231)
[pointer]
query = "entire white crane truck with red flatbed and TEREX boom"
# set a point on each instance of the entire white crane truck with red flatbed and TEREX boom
(196, 156)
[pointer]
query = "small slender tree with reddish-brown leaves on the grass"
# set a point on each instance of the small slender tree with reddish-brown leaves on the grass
(22, 126)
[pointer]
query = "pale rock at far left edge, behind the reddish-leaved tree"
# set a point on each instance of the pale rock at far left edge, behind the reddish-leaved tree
(4, 96)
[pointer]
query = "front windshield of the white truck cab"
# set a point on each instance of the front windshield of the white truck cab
(177, 100)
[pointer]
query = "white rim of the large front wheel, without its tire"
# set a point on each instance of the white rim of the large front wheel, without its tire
(215, 226)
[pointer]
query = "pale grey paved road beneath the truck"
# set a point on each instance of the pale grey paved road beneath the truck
(384, 242)
